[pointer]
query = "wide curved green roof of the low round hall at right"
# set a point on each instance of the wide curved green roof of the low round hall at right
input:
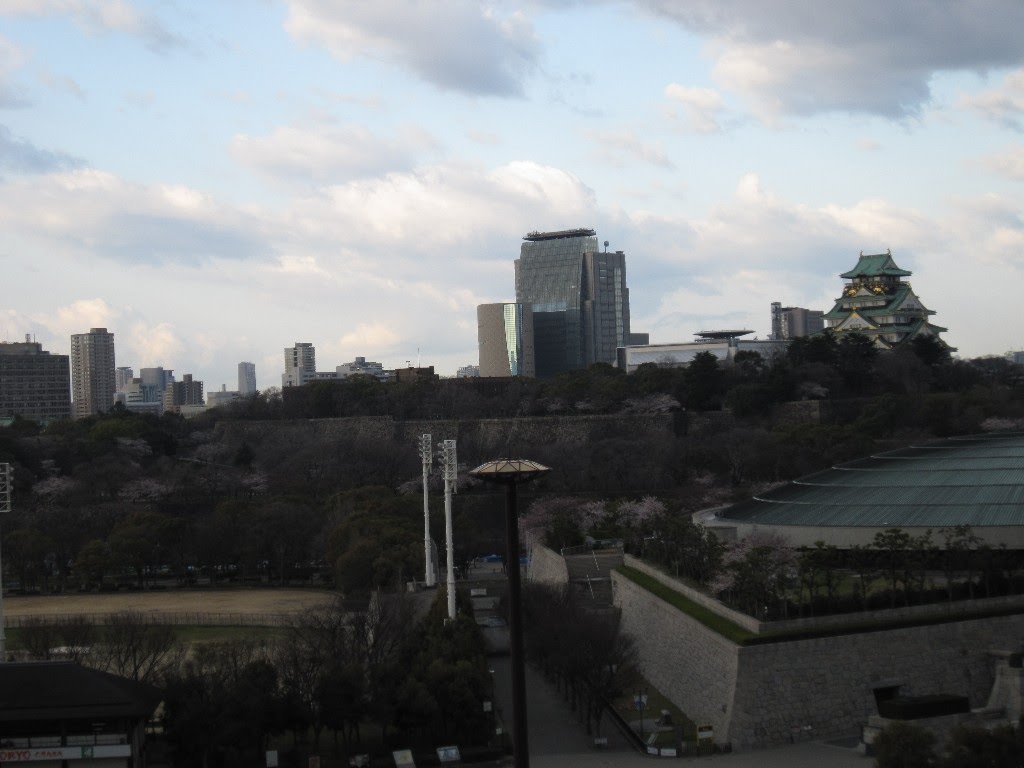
(976, 481)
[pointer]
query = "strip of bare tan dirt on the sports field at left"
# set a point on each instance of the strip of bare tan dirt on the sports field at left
(184, 602)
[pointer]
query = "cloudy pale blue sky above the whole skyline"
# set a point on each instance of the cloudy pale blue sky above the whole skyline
(215, 182)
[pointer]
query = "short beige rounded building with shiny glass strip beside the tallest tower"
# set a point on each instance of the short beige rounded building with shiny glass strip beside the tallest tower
(506, 335)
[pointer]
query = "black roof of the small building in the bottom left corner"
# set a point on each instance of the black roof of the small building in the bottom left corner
(56, 691)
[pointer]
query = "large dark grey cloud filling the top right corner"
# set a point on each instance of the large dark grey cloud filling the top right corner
(873, 57)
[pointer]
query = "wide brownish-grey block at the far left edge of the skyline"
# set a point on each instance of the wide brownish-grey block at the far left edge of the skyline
(34, 385)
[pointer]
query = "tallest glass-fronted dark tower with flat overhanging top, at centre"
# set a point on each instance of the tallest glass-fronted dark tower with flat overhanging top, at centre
(579, 296)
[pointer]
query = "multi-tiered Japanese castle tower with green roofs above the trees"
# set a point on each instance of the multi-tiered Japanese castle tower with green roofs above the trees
(880, 305)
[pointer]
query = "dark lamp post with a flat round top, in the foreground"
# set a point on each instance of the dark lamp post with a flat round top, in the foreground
(510, 473)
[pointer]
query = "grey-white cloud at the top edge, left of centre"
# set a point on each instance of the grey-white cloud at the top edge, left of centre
(460, 46)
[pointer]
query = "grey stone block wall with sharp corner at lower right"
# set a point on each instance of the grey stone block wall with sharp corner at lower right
(759, 696)
